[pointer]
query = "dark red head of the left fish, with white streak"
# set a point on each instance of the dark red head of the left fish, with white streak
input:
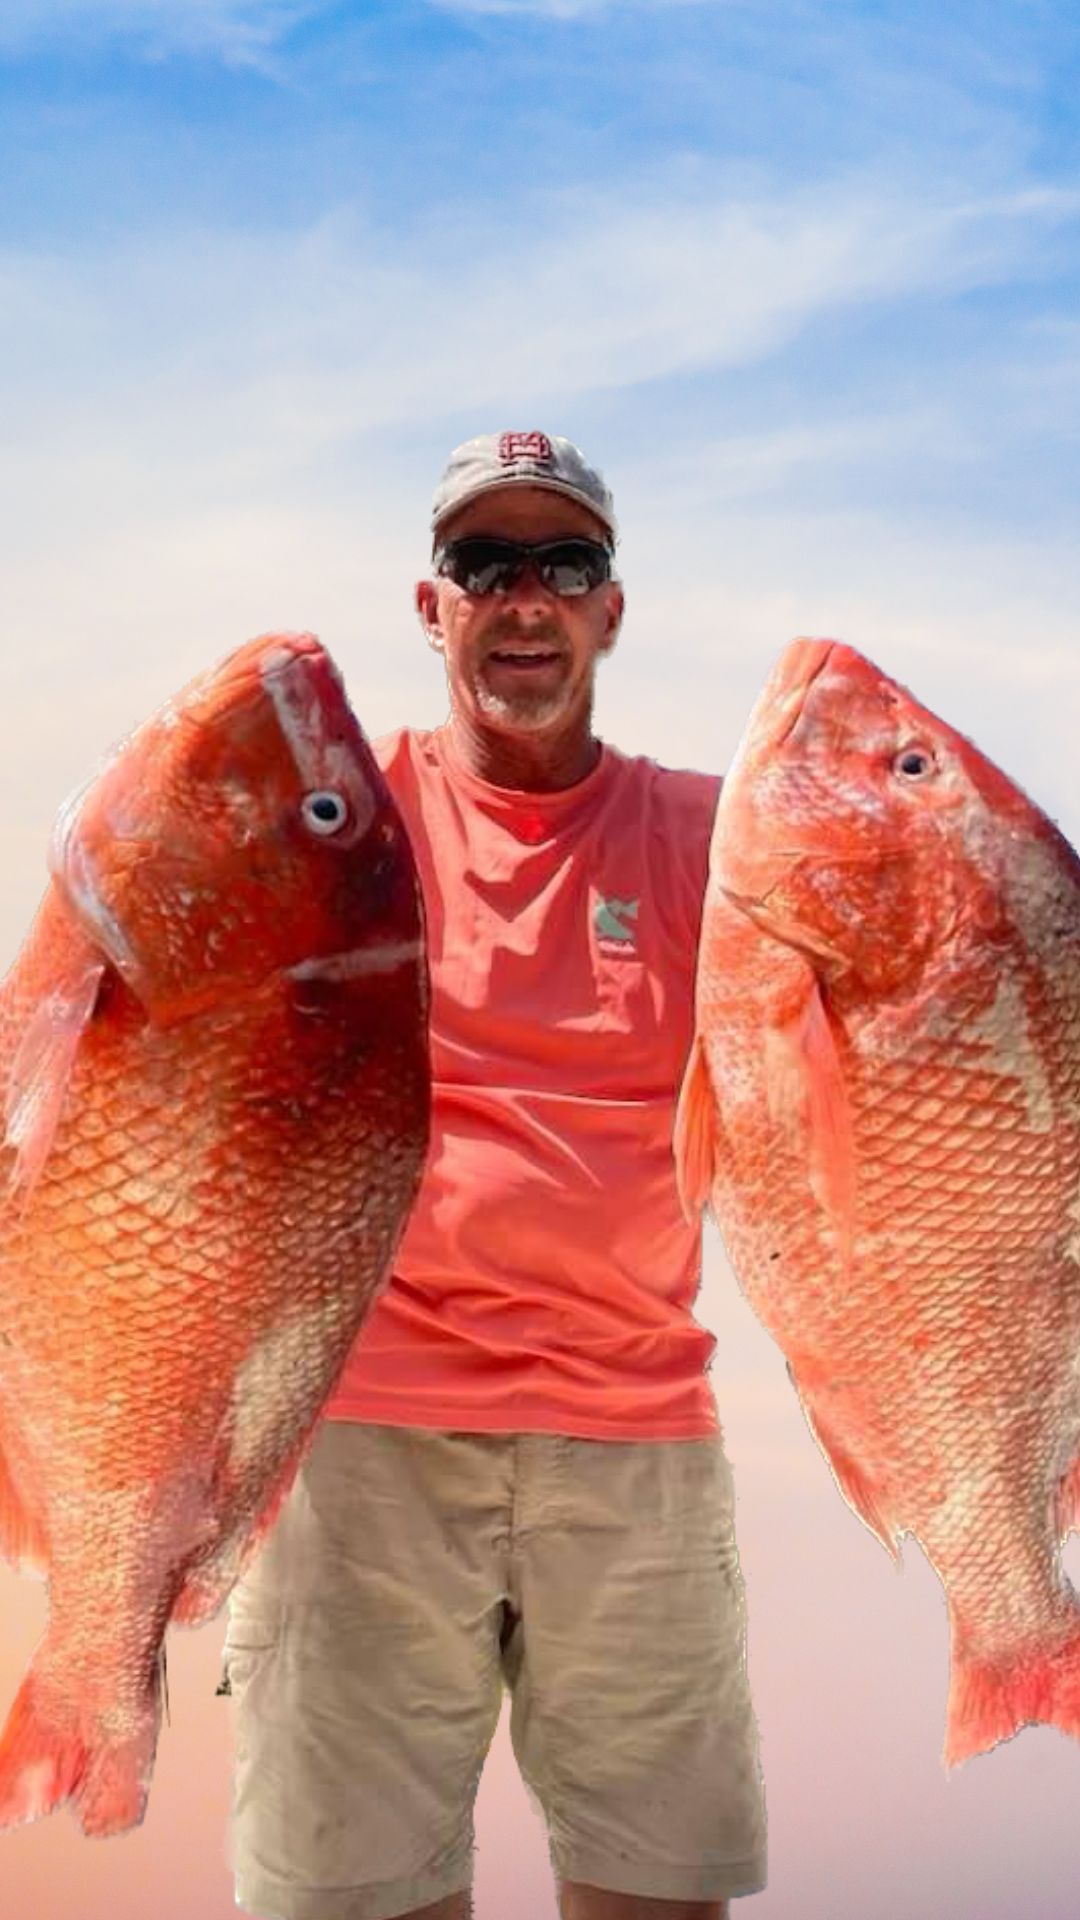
(239, 834)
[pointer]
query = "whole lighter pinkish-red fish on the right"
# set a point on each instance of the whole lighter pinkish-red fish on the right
(885, 1109)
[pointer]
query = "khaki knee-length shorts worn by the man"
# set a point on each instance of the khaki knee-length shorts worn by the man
(406, 1581)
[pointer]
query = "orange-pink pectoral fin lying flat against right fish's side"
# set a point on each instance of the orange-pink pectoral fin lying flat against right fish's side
(808, 1090)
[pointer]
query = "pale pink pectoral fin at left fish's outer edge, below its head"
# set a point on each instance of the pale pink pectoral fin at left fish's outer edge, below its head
(43, 1067)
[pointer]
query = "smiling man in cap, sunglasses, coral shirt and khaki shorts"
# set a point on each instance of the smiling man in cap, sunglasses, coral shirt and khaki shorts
(520, 1477)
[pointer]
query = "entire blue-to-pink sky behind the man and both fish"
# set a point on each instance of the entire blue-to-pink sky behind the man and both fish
(804, 281)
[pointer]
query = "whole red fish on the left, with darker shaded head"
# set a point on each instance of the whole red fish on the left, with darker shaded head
(214, 1053)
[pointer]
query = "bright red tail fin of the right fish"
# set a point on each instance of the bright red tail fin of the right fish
(991, 1702)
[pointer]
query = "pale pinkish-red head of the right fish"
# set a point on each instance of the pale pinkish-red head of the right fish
(860, 827)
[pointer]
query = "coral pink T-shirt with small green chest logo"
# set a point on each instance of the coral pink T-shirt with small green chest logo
(547, 1276)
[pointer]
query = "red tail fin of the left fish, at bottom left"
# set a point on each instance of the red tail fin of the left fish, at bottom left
(49, 1756)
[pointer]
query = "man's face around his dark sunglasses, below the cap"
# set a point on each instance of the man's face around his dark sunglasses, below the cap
(522, 661)
